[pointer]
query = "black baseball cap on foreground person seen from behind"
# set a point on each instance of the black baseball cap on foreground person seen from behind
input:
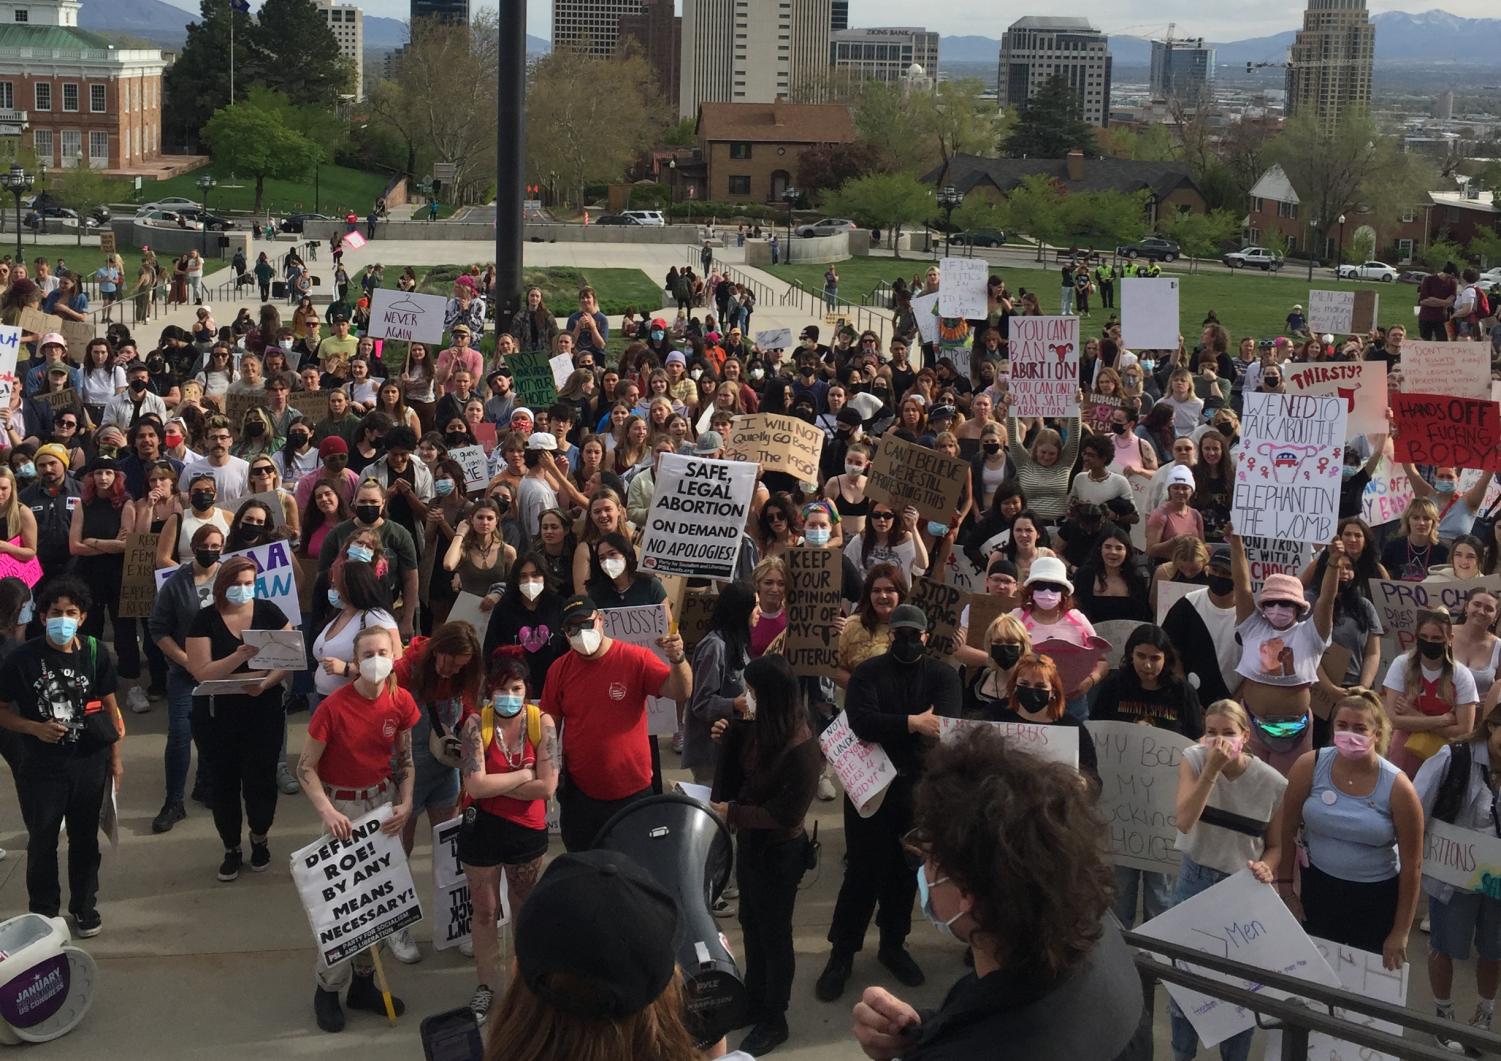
(597, 919)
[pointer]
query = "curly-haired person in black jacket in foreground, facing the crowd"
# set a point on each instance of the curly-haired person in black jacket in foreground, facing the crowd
(1012, 867)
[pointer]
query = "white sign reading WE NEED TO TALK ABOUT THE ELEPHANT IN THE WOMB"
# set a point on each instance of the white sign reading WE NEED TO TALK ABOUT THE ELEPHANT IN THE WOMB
(1287, 484)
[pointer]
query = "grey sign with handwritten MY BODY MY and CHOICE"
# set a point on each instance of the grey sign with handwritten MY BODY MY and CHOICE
(1139, 792)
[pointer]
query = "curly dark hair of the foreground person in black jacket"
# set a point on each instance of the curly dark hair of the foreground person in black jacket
(1029, 849)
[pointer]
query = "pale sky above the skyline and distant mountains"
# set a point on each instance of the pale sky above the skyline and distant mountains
(1232, 22)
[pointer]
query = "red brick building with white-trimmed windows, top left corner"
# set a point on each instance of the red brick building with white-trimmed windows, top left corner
(73, 95)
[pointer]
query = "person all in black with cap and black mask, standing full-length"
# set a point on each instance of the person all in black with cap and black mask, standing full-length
(895, 702)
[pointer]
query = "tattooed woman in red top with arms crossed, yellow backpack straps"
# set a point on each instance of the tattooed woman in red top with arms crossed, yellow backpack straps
(508, 783)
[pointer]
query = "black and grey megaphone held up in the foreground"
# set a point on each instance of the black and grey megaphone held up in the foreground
(685, 847)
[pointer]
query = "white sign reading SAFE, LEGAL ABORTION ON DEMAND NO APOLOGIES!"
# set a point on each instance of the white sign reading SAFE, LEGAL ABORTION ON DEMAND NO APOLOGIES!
(699, 515)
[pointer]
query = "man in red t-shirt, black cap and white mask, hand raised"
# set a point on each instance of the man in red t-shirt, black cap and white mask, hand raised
(598, 694)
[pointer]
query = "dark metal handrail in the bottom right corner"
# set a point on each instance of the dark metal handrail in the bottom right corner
(1313, 1008)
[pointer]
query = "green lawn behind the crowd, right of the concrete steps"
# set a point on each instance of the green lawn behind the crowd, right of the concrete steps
(1247, 302)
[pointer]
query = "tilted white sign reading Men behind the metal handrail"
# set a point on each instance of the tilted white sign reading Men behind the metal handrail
(1247, 922)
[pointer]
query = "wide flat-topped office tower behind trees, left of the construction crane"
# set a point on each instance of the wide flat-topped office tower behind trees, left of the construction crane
(1036, 47)
